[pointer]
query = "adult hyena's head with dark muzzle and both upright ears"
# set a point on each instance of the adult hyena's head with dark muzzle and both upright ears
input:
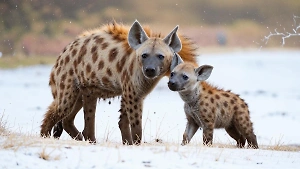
(154, 54)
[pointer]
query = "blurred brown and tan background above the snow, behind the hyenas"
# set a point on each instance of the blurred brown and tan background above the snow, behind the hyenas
(41, 28)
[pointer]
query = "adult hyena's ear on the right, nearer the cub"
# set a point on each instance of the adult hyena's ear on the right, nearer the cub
(173, 40)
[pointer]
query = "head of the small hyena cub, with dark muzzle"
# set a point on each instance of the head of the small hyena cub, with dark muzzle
(184, 76)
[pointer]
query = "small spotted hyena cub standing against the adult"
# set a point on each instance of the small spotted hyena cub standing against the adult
(209, 107)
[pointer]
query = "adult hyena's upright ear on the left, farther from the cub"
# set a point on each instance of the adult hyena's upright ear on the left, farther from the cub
(136, 35)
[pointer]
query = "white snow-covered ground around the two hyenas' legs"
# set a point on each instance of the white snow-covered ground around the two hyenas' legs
(268, 81)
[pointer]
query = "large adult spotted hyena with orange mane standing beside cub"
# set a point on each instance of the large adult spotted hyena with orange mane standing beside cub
(113, 60)
